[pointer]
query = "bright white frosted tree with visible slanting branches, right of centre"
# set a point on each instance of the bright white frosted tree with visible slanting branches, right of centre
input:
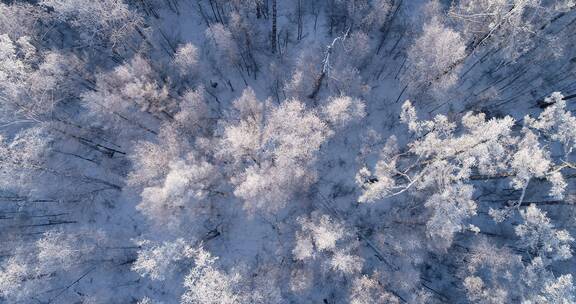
(447, 162)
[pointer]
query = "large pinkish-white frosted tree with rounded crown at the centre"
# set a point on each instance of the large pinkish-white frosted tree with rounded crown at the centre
(275, 148)
